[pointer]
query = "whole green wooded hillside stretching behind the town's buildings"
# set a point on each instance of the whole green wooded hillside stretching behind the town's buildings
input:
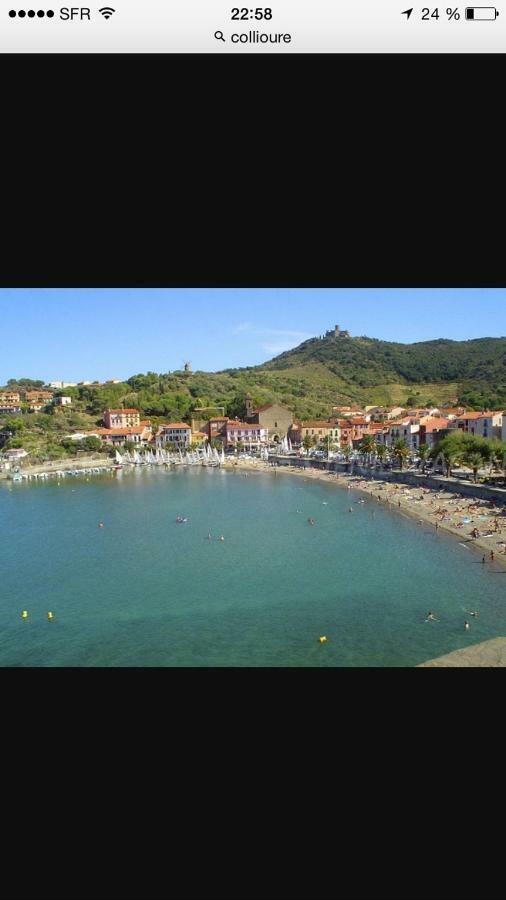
(310, 379)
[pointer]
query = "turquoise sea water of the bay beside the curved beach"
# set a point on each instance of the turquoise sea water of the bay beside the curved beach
(144, 591)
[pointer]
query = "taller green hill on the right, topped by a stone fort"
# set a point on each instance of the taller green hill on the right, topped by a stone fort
(362, 369)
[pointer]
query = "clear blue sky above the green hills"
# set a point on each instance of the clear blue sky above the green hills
(96, 334)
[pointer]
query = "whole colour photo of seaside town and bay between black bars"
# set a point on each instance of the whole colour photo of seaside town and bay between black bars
(228, 478)
